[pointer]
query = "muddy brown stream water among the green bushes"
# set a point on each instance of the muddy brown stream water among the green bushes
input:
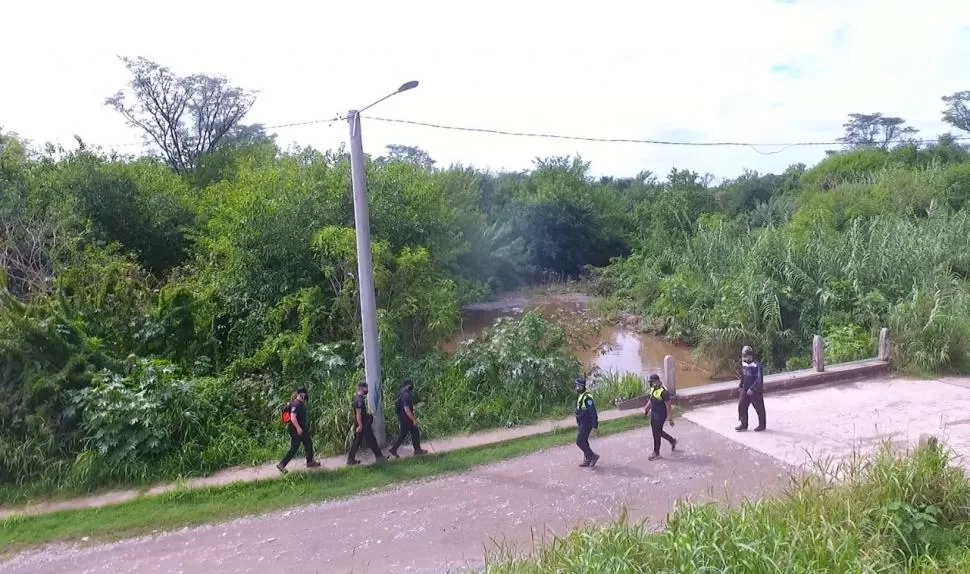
(612, 349)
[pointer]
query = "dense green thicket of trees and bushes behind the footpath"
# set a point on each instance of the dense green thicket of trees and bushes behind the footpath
(157, 309)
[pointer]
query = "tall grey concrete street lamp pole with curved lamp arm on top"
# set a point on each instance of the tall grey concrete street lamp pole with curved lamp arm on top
(365, 269)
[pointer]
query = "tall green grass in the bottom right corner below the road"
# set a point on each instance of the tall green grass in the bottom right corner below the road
(888, 514)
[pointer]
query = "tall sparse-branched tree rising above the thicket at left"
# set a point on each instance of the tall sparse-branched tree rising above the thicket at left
(185, 116)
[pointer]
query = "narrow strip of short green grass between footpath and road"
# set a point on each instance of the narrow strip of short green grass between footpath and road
(193, 507)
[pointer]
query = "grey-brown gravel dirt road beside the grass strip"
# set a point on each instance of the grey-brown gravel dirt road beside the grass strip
(444, 524)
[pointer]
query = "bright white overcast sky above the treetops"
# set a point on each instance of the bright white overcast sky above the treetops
(713, 70)
